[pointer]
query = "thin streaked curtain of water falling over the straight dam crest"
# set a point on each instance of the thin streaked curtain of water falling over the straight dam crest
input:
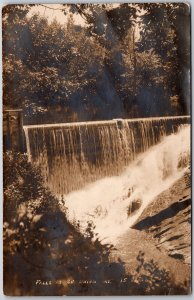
(71, 155)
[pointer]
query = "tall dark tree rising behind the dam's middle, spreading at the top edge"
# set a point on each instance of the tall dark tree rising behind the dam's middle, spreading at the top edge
(109, 26)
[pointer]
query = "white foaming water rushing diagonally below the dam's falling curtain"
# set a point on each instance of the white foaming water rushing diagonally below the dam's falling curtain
(114, 203)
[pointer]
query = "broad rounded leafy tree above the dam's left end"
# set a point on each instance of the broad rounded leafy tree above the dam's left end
(58, 65)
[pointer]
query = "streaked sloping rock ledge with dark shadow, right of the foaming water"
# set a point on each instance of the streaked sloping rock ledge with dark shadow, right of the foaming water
(168, 220)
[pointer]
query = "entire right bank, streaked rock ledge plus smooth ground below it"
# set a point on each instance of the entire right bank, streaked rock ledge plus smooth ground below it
(162, 234)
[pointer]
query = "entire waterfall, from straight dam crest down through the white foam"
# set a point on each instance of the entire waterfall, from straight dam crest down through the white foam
(109, 171)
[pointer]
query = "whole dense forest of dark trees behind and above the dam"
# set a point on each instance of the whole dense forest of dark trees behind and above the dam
(132, 60)
